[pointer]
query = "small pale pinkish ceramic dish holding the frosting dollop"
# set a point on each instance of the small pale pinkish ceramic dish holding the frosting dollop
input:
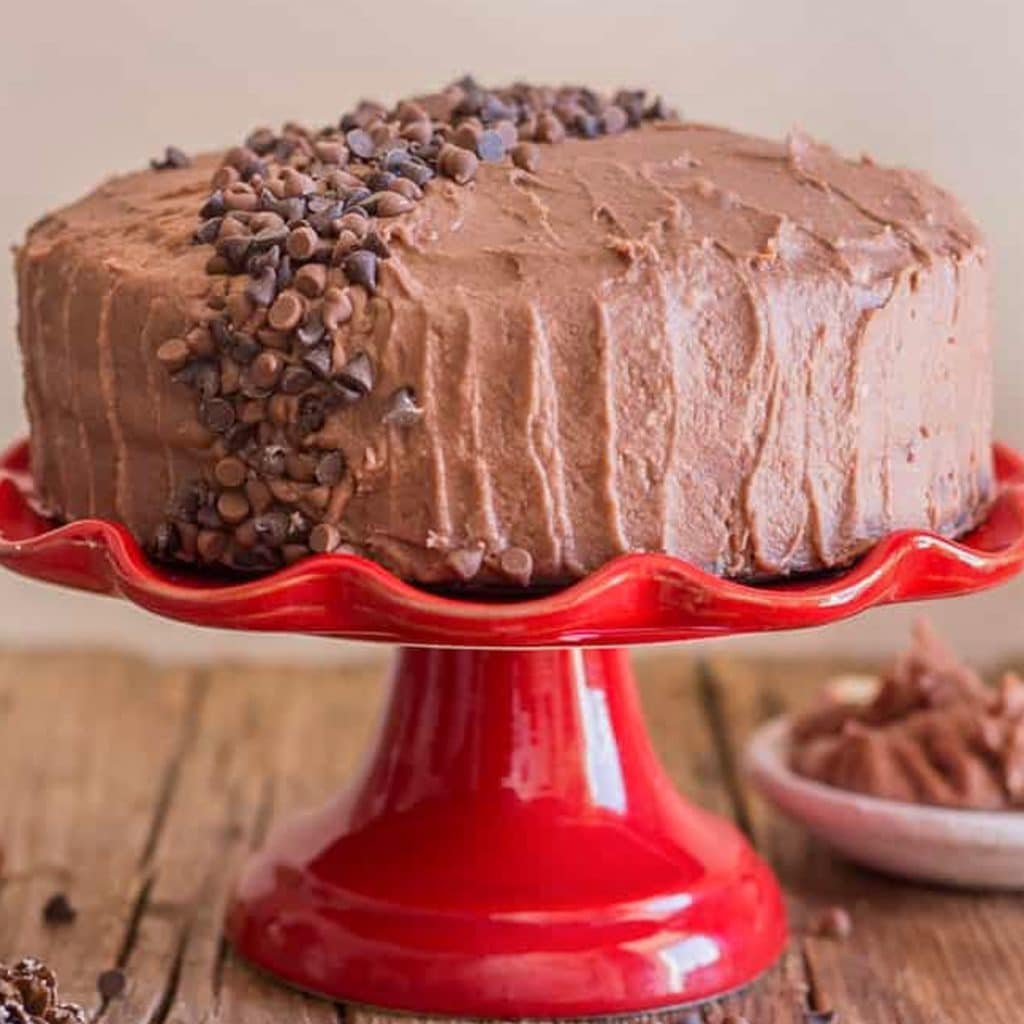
(973, 849)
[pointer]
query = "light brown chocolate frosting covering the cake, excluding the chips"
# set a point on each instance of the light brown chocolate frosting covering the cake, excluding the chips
(758, 357)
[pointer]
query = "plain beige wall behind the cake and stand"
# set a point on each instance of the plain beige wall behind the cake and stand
(91, 88)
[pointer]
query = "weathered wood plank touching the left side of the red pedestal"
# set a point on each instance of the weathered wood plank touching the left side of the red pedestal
(268, 741)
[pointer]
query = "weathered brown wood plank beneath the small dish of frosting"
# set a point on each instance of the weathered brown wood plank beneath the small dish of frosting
(918, 955)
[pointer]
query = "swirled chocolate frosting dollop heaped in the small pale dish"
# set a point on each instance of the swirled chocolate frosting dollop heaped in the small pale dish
(933, 734)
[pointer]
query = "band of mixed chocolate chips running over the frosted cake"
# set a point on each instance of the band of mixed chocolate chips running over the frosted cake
(302, 223)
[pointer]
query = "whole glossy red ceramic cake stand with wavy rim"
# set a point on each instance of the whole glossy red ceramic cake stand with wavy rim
(511, 847)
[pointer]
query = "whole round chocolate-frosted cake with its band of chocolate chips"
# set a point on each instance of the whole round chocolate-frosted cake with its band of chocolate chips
(502, 337)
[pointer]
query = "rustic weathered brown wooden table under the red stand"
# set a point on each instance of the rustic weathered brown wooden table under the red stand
(137, 791)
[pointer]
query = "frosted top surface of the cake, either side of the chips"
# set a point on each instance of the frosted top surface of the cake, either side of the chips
(589, 210)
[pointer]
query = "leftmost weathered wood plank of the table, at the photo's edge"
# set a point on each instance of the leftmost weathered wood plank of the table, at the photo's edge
(88, 747)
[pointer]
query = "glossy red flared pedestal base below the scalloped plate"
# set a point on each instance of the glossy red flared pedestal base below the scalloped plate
(511, 848)
